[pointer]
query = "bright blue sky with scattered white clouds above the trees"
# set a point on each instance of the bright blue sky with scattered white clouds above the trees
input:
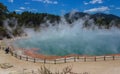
(60, 7)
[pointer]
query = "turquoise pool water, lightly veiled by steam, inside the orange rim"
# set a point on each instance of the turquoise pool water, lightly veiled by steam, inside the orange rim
(79, 42)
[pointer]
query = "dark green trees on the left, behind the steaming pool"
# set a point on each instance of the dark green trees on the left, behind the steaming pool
(25, 19)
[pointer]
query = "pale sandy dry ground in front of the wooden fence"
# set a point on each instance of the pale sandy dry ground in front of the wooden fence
(101, 67)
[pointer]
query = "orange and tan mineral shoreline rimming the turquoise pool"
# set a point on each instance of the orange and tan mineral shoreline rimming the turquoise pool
(32, 54)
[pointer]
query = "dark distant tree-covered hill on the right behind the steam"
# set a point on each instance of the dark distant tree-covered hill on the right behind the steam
(101, 19)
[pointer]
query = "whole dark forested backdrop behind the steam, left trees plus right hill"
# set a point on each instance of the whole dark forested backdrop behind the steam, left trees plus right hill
(34, 20)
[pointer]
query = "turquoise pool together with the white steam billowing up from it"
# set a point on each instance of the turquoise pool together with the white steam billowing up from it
(65, 39)
